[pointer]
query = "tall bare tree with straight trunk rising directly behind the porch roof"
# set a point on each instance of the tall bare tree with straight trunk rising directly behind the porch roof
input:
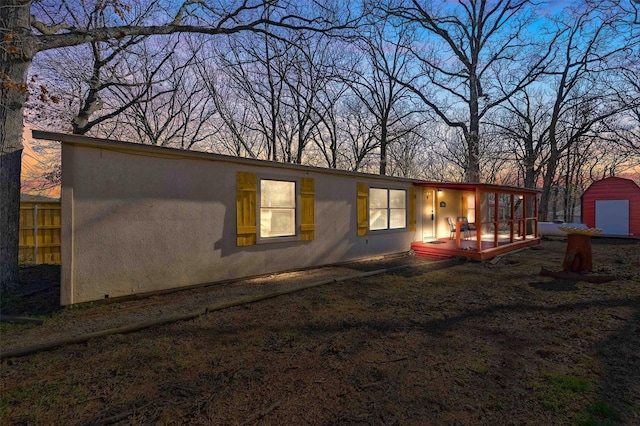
(480, 54)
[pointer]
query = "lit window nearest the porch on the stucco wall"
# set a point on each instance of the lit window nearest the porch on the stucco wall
(387, 209)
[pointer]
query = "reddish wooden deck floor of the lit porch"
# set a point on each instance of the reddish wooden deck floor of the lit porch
(445, 248)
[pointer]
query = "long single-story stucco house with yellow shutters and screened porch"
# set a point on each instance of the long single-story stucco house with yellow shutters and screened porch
(142, 219)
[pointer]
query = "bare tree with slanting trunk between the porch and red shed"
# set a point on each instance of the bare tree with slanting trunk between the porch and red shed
(595, 40)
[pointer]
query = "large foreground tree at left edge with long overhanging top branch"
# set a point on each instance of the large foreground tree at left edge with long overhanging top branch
(28, 27)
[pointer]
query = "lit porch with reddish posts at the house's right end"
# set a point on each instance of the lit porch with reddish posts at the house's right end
(502, 219)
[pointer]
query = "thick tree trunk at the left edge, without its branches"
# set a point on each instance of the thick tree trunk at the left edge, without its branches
(15, 57)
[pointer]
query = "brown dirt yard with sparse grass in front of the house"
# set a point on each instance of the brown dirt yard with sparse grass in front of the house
(470, 343)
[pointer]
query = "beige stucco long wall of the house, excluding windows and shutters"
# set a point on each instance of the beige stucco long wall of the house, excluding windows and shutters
(138, 221)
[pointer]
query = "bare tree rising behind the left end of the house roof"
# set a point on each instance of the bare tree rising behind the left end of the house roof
(90, 90)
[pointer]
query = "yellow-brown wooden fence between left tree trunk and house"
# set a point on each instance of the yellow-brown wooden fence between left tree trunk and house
(40, 232)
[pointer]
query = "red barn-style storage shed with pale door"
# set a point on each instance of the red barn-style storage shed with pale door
(613, 205)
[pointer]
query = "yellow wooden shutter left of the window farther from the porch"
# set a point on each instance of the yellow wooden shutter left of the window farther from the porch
(246, 193)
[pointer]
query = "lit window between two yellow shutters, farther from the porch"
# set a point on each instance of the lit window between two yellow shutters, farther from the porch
(277, 208)
